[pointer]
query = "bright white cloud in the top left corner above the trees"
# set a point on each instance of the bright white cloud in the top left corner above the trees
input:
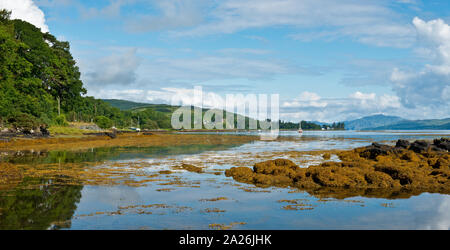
(26, 10)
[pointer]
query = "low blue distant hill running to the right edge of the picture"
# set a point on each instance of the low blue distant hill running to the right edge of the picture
(436, 124)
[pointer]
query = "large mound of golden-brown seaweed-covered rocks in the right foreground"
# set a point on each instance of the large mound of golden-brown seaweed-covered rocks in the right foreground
(375, 171)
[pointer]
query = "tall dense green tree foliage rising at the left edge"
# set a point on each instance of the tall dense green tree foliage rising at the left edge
(35, 70)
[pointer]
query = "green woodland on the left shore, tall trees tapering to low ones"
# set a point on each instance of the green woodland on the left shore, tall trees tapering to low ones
(40, 84)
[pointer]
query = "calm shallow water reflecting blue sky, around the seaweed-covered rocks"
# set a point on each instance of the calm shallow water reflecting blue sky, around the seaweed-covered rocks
(160, 205)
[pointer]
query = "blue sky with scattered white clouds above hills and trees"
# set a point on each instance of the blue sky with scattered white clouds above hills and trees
(327, 60)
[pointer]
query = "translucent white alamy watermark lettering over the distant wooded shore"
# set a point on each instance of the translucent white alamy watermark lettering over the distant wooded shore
(235, 111)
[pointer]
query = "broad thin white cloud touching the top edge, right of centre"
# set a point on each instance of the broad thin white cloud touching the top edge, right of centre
(370, 22)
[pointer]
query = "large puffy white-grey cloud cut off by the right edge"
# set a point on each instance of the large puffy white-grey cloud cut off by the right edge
(429, 85)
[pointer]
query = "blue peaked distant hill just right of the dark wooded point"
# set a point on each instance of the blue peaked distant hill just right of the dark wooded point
(372, 122)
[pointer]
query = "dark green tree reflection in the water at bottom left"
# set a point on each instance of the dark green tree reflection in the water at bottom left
(45, 206)
